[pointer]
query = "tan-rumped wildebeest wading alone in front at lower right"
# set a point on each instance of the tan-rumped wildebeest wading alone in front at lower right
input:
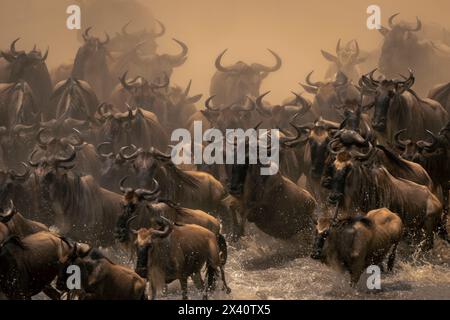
(355, 243)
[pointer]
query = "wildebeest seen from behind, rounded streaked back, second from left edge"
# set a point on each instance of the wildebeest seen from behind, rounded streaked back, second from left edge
(75, 99)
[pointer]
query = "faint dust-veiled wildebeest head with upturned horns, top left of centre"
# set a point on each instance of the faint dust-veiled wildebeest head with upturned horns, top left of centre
(124, 39)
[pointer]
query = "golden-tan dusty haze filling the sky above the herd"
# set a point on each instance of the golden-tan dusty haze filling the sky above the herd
(295, 29)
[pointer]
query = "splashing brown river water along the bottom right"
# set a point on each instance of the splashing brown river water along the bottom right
(260, 267)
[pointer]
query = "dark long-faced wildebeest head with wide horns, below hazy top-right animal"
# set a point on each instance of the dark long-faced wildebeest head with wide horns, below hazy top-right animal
(385, 93)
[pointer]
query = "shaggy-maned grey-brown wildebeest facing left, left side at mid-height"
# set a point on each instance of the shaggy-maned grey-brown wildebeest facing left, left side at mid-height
(76, 205)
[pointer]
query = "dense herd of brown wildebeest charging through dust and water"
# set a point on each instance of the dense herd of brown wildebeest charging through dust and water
(85, 163)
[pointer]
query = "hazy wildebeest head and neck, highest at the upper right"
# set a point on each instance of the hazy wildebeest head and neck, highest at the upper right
(400, 48)
